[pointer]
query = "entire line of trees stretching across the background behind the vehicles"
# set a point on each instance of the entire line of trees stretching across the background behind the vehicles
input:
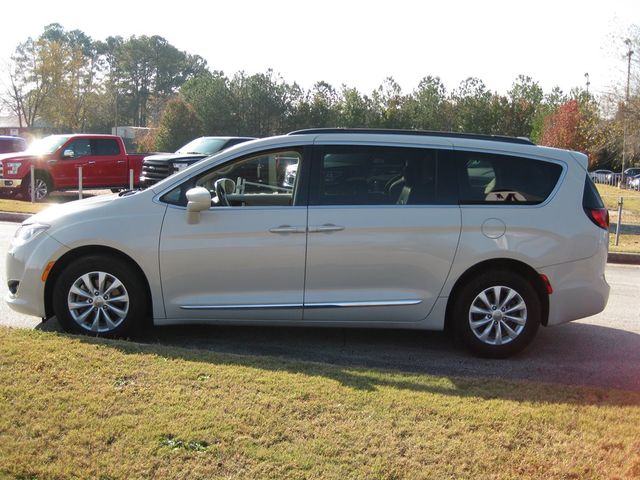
(69, 82)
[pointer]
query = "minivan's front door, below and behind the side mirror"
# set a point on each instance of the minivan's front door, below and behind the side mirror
(241, 261)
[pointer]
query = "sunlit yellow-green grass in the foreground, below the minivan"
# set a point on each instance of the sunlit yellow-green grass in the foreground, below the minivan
(79, 408)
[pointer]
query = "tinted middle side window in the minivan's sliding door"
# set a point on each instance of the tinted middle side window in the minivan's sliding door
(364, 175)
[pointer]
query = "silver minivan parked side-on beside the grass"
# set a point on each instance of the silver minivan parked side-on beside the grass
(490, 236)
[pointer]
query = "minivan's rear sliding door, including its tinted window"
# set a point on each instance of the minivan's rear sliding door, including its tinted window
(383, 232)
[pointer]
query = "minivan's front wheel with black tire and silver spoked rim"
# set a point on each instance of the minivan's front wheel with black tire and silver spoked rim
(105, 302)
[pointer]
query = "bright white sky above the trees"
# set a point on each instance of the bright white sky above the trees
(360, 43)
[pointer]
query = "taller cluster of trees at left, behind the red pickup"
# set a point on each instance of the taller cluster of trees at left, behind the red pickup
(69, 82)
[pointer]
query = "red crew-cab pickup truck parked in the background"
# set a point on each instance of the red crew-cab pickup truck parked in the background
(56, 158)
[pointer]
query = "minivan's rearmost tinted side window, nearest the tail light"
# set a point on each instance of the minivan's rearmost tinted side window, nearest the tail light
(503, 179)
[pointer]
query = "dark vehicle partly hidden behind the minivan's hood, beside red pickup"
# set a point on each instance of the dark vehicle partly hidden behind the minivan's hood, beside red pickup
(160, 166)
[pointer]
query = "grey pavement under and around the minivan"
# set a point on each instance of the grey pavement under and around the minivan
(603, 350)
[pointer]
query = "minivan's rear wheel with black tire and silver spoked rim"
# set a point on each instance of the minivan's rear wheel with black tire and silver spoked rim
(488, 315)
